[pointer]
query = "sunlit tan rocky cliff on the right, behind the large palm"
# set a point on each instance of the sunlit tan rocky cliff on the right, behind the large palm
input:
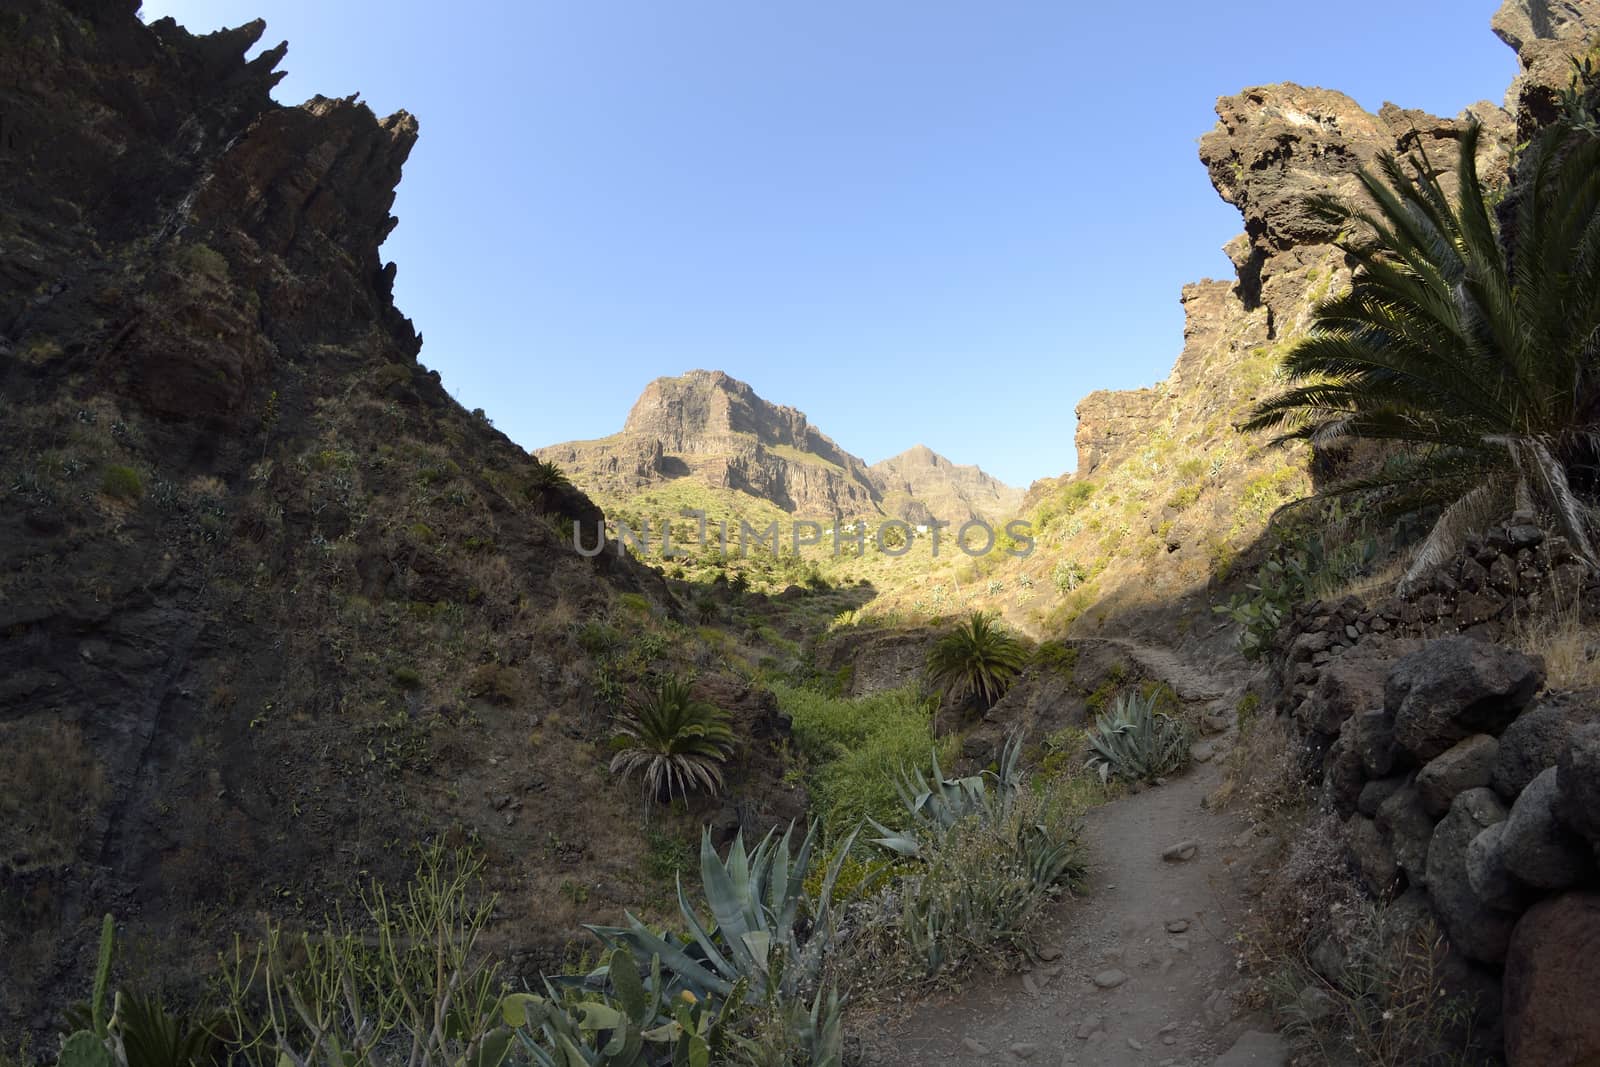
(1167, 497)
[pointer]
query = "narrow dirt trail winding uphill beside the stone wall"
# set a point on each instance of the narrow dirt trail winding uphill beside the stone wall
(1146, 970)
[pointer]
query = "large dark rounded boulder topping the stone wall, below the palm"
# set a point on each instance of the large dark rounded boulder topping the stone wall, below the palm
(1454, 689)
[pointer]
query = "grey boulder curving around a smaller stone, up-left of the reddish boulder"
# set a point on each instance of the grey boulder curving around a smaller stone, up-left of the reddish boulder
(1476, 930)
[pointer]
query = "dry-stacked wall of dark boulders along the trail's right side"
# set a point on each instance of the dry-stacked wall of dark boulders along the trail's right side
(1462, 781)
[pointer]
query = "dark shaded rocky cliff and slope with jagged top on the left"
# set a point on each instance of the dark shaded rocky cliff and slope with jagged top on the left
(274, 605)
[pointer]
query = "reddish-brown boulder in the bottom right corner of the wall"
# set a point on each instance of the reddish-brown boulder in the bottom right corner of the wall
(1553, 972)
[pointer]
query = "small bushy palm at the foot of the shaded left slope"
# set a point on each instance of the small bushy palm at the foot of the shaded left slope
(674, 743)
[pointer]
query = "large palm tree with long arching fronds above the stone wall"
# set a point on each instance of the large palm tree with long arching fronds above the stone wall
(1482, 362)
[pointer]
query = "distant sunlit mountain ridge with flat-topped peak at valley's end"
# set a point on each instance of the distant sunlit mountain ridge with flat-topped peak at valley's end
(718, 431)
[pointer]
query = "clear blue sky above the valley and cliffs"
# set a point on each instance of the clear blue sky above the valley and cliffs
(919, 222)
